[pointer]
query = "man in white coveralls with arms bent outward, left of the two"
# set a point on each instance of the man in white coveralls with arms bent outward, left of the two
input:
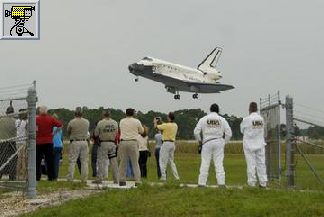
(212, 131)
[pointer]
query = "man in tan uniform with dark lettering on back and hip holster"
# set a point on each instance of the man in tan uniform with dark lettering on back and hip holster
(107, 129)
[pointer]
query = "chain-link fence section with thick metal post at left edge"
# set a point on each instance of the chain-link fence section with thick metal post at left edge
(17, 118)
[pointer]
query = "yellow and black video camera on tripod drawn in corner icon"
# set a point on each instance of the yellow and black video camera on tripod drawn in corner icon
(20, 14)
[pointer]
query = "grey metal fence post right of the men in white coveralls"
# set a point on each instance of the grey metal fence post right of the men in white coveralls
(290, 142)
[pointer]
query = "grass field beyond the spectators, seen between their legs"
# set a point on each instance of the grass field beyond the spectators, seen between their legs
(188, 163)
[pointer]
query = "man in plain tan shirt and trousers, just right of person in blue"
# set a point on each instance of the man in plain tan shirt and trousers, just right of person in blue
(78, 130)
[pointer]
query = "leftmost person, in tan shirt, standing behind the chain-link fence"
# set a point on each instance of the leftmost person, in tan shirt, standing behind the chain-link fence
(8, 135)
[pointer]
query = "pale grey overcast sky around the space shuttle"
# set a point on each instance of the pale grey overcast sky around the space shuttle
(85, 48)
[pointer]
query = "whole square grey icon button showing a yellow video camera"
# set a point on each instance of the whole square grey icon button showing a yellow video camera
(19, 19)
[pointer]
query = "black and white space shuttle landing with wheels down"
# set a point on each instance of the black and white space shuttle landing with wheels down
(203, 79)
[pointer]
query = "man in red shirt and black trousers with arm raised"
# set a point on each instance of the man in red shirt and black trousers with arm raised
(44, 142)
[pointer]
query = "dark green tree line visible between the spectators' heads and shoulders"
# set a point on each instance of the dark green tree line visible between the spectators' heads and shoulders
(185, 118)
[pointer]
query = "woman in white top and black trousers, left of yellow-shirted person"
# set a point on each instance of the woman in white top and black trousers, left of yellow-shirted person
(143, 151)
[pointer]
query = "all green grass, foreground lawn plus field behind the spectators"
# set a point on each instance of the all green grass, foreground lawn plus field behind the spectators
(172, 200)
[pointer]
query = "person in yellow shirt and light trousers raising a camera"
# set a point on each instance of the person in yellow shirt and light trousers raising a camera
(169, 132)
